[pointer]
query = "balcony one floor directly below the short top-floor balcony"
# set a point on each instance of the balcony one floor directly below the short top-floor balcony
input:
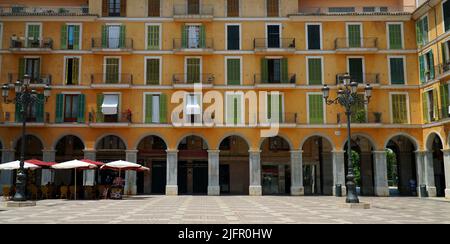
(197, 47)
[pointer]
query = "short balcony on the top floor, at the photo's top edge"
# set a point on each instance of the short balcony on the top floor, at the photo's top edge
(193, 12)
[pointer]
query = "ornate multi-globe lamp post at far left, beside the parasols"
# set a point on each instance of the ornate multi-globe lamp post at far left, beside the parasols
(25, 96)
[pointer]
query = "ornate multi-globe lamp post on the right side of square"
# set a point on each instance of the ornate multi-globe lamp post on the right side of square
(347, 97)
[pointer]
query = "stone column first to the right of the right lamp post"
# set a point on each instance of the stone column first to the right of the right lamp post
(380, 171)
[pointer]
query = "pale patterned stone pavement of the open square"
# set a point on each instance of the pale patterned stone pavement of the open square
(230, 210)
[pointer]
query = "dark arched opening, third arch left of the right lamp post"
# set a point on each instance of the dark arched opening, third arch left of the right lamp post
(234, 166)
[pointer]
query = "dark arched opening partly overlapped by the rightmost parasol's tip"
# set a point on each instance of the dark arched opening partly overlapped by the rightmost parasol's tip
(152, 154)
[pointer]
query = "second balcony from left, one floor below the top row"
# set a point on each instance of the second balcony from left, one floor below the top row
(112, 45)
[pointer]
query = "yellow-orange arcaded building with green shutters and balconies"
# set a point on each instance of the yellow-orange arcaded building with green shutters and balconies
(118, 69)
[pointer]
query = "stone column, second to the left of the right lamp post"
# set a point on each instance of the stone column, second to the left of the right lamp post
(297, 188)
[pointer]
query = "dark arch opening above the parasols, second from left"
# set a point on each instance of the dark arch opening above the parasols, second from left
(69, 148)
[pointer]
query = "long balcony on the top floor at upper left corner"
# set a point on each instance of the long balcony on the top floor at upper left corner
(44, 11)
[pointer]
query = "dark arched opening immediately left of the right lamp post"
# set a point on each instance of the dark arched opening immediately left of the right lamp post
(317, 166)
